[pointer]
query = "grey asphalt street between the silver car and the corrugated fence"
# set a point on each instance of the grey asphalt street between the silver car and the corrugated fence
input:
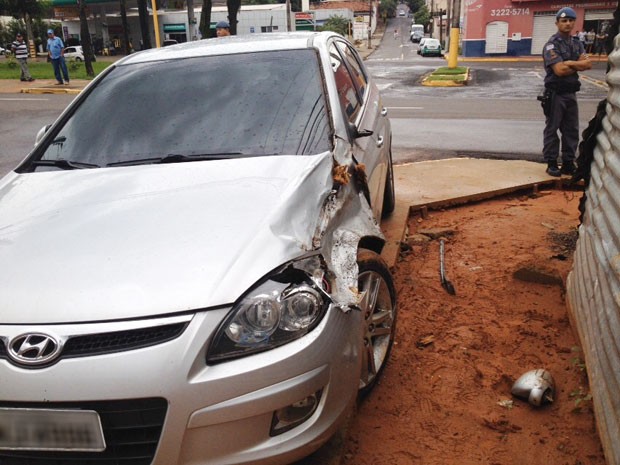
(495, 115)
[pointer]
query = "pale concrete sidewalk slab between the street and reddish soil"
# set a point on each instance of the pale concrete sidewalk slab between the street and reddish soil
(439, 183)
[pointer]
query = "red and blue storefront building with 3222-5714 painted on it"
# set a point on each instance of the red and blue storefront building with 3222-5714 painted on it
(521, 28)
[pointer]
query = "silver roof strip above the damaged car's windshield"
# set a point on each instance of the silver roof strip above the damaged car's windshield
(232, 45)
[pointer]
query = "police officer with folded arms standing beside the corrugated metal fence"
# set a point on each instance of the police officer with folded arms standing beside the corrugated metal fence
(564, 56)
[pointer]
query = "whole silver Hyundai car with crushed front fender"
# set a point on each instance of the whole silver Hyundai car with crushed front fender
(190, 259)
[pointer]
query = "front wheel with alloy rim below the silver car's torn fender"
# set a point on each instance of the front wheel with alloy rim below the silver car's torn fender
(378, 308)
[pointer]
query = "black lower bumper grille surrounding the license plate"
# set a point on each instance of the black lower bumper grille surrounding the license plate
(131, 428)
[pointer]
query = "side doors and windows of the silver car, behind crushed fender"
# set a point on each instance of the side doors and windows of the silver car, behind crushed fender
(362, 107)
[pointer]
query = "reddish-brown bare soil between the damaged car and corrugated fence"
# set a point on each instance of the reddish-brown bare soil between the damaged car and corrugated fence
(445, 395)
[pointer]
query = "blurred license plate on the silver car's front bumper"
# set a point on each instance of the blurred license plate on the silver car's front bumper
(43, 429)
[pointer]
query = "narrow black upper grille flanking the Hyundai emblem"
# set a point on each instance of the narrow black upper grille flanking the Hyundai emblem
(117, 341)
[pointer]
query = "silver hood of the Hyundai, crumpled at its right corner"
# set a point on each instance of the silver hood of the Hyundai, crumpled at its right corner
(115, 243)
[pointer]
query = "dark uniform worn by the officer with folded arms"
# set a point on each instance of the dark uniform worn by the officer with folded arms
(563, 112)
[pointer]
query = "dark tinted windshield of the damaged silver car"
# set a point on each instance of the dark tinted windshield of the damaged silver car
(252, 104)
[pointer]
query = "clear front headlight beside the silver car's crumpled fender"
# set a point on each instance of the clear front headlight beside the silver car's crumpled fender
(282, 307)
